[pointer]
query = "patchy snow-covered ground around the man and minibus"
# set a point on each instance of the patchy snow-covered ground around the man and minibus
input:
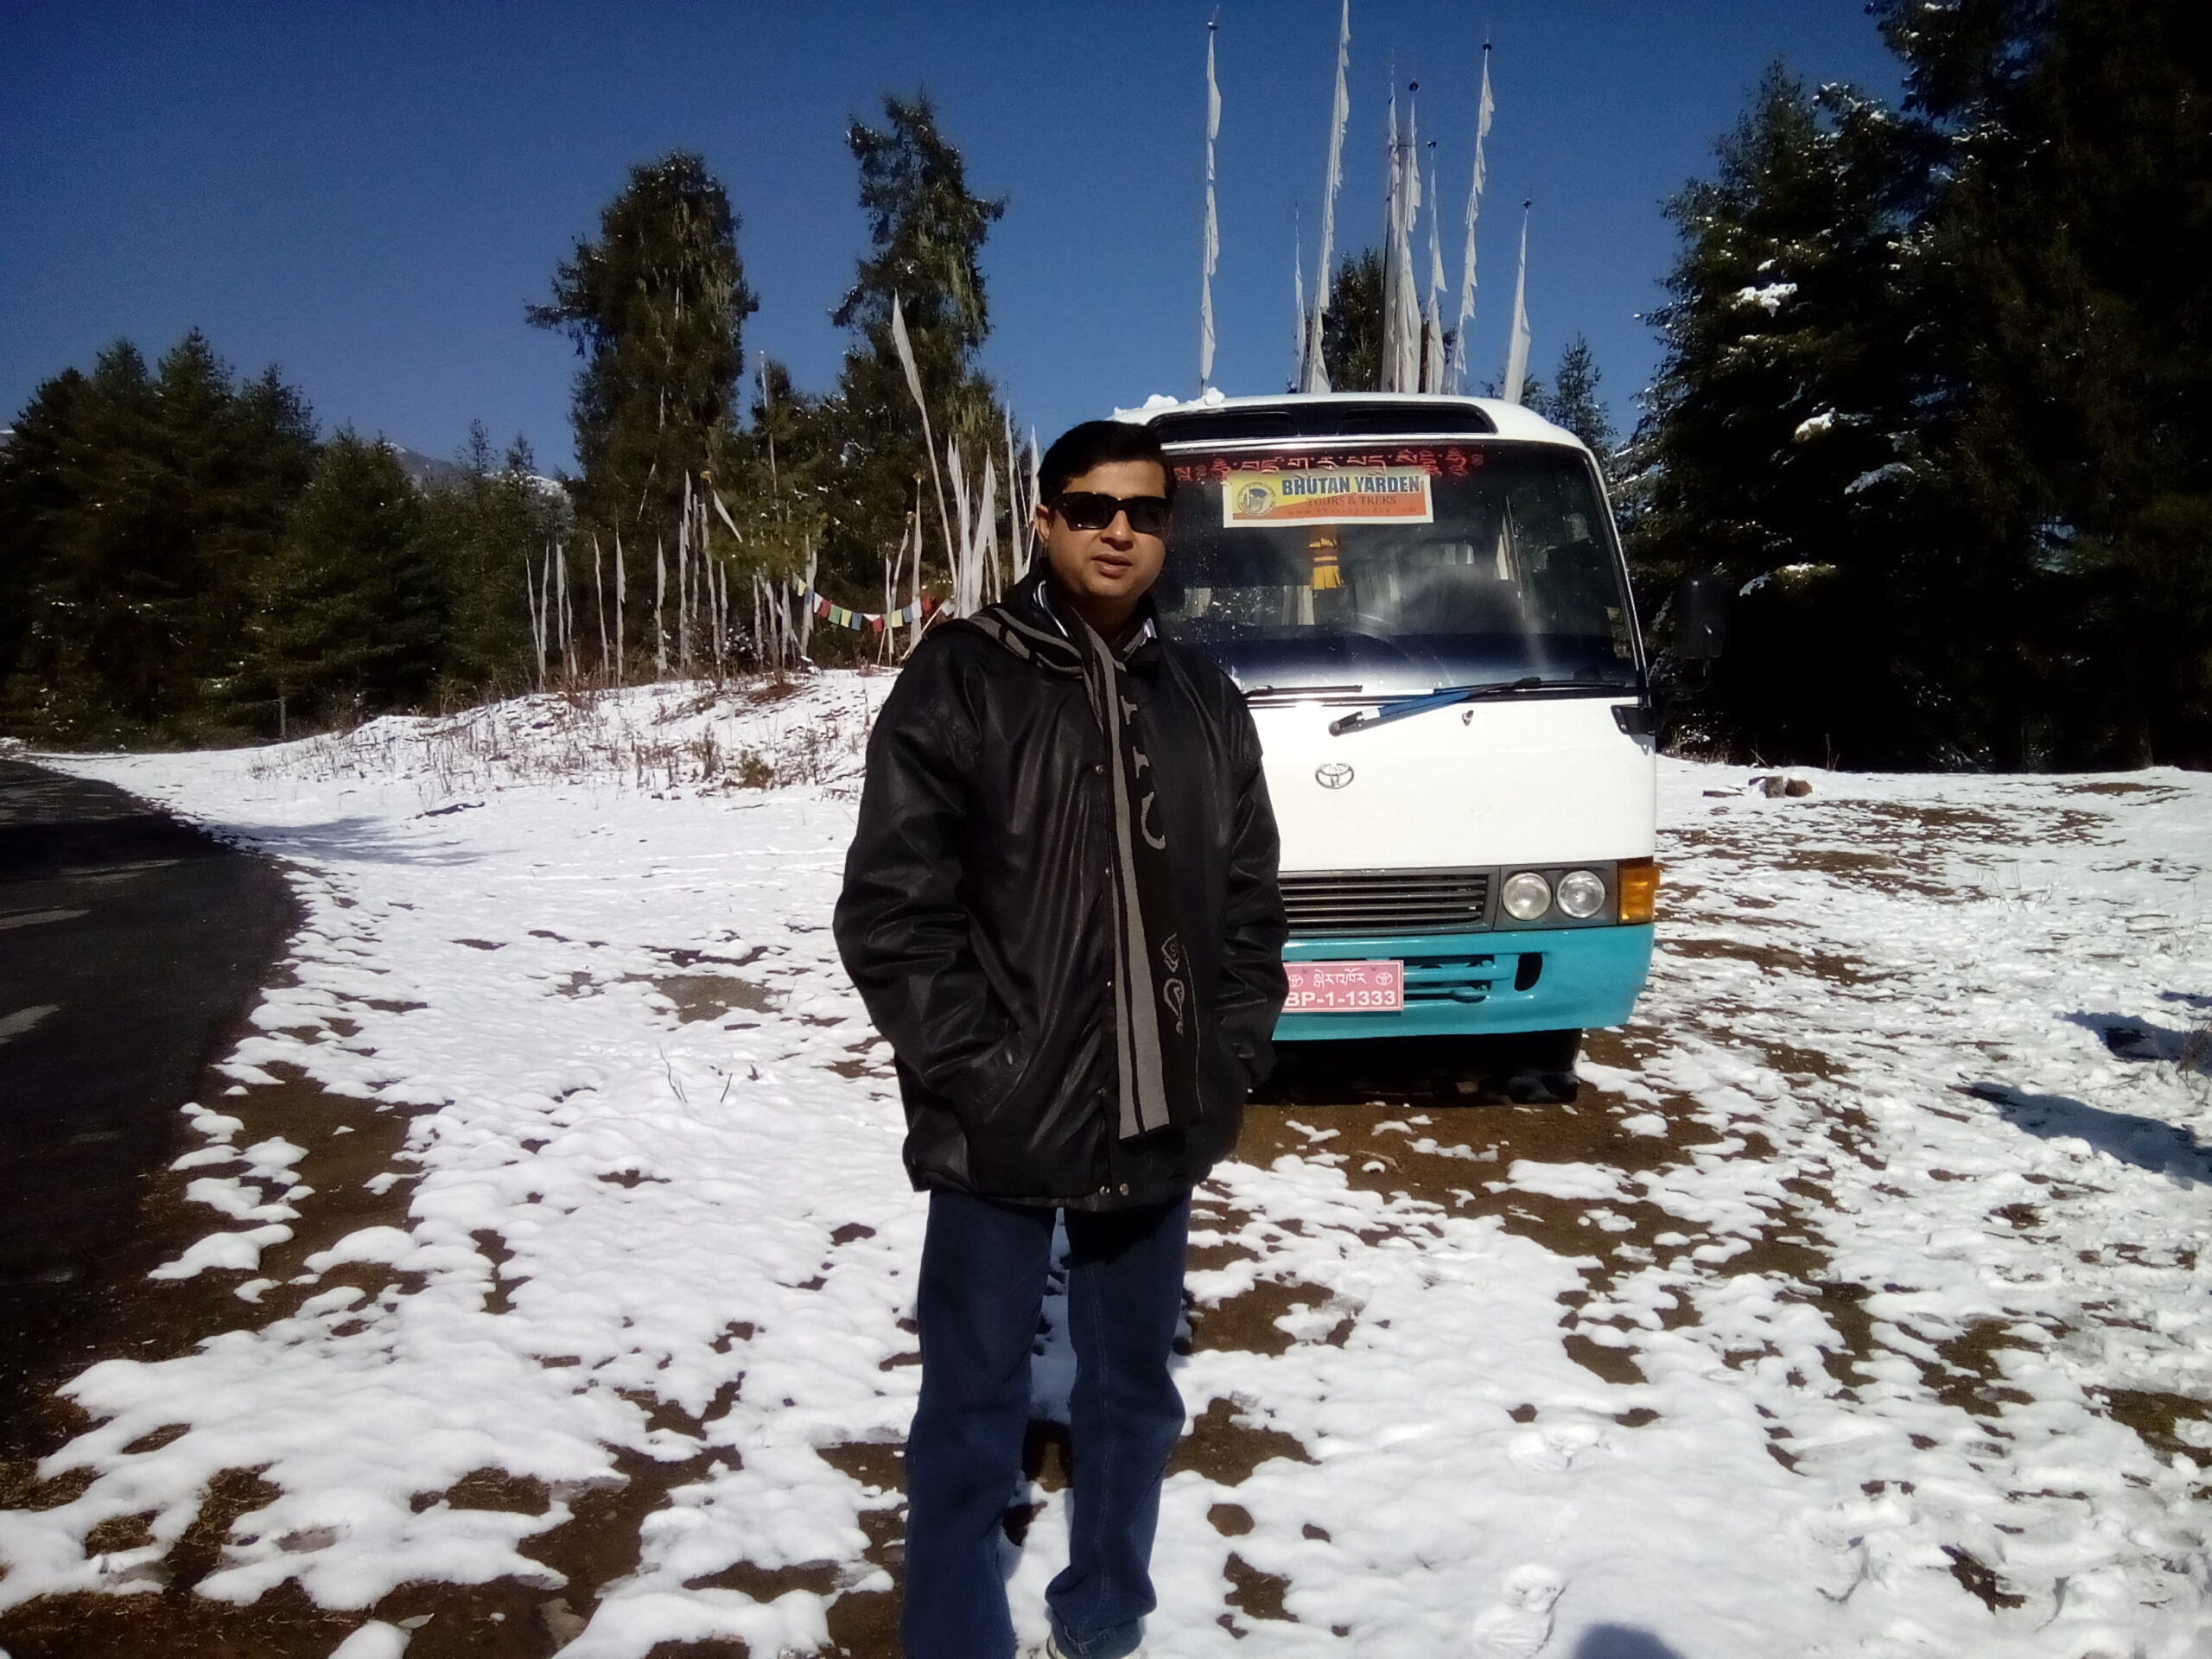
(1855, 1311)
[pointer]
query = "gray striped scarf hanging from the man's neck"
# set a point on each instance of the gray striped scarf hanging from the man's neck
(1156, 1016)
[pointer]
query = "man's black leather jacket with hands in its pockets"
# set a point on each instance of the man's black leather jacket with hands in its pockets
(974, 917)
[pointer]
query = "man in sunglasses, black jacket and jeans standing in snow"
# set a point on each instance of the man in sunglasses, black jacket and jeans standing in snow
(1063, 912)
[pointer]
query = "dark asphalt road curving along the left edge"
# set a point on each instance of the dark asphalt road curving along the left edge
(129, 948)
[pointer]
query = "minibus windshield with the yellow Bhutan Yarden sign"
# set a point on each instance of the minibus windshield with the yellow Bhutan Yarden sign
(1397, 567)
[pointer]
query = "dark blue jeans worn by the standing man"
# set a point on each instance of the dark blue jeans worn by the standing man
(979, 1304)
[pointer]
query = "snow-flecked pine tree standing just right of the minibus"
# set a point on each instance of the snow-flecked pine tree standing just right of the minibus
(1780, 446)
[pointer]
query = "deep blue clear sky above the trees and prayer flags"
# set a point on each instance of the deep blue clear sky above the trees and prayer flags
(368, 194)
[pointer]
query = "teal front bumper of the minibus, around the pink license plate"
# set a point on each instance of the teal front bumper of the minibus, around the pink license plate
(1552, 979)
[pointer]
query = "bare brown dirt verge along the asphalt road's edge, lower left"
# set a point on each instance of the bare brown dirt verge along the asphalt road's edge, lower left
(348, 1142)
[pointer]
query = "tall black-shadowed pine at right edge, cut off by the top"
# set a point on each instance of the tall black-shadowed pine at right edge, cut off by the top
(2065, 247)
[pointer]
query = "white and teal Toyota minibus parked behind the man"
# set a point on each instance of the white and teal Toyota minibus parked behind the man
(1426, 603)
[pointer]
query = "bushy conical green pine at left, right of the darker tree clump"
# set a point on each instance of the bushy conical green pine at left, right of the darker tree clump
(351, 614)
